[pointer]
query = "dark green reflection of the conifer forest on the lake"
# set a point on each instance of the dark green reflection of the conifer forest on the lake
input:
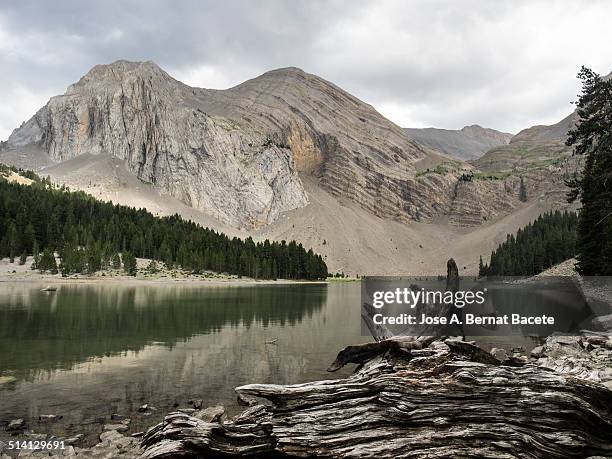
(41, 330)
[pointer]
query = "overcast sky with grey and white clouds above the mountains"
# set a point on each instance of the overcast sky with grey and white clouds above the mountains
(501, 64)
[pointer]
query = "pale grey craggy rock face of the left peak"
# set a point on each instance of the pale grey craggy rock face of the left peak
(138, 113)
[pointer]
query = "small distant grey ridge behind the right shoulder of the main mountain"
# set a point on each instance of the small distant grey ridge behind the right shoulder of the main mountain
(470, 142)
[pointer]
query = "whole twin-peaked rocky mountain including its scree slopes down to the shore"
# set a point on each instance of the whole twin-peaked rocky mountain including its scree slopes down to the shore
(286, 155)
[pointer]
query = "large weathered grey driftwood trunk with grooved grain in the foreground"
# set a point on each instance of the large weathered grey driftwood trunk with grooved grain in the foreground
(426, 400)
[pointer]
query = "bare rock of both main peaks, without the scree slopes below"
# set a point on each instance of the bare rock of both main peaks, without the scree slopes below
(240, 154)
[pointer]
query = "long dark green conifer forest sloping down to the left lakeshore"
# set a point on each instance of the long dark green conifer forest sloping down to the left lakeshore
(90, 235)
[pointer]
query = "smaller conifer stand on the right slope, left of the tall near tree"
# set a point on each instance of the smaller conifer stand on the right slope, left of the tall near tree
(547, 241)
